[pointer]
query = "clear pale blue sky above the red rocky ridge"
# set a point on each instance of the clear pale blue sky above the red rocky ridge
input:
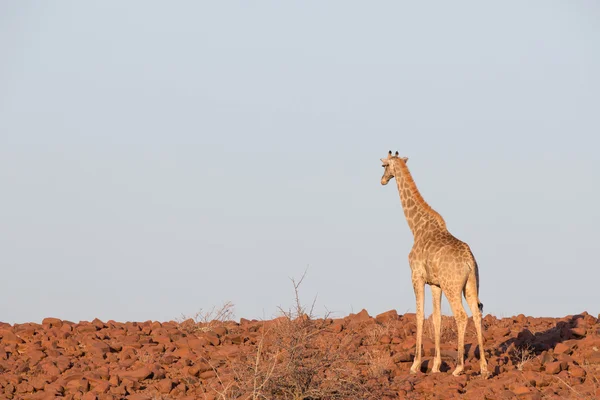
(157, 158)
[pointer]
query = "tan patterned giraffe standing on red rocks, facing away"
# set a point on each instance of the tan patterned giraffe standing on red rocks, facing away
(440, 260)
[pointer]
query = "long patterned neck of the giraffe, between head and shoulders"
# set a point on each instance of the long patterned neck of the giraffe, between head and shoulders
(420, 216)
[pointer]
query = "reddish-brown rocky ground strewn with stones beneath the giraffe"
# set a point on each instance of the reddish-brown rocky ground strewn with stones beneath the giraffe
(355, 357)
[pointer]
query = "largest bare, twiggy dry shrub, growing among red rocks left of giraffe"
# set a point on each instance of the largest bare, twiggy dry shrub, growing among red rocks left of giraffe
(296, 358)
